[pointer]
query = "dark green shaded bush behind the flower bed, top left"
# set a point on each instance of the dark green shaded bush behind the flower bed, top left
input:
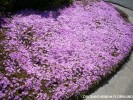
(14, 5)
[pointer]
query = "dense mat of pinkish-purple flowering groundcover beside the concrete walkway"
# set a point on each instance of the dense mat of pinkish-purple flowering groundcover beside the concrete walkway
(52, 55)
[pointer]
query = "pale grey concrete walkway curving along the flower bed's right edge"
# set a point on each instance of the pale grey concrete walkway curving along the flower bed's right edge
(122, 82)
